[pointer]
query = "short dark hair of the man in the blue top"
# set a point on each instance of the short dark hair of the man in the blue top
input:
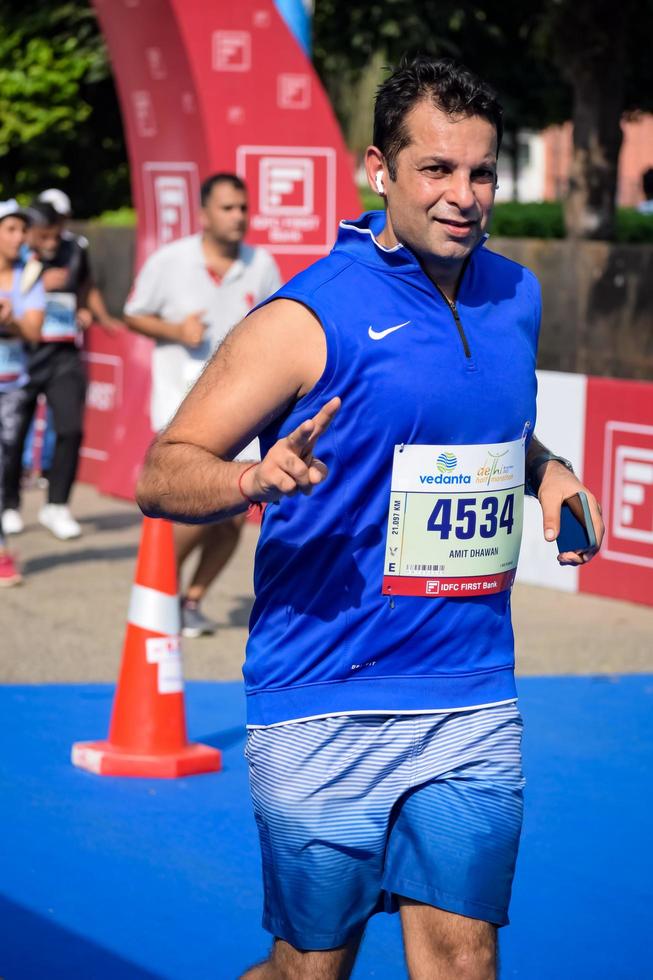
(451, 87)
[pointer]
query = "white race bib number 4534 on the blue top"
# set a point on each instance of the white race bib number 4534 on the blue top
(455, 519)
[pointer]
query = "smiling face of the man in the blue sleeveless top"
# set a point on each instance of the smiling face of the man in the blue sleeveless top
(440, 203)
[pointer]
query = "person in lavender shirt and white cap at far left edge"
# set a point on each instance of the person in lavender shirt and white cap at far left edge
(21, 318)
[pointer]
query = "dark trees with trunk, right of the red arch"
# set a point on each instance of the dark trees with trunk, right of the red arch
(550, 60)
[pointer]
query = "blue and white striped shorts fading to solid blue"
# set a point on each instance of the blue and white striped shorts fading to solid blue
(353, 811)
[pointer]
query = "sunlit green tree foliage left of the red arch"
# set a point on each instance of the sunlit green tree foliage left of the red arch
(59, 119)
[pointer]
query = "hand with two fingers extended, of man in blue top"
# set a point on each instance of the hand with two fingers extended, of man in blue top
(290, 467)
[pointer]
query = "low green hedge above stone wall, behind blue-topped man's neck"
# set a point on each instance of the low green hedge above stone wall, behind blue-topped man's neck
(545, 220)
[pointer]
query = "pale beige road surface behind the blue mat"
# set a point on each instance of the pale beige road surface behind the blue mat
(66, 623)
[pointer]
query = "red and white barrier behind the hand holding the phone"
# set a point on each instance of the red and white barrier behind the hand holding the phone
(605, 427)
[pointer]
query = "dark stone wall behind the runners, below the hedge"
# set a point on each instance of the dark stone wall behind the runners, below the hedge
(598, 297)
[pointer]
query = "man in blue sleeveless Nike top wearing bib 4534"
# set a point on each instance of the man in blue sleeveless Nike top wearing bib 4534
(384, 741)
